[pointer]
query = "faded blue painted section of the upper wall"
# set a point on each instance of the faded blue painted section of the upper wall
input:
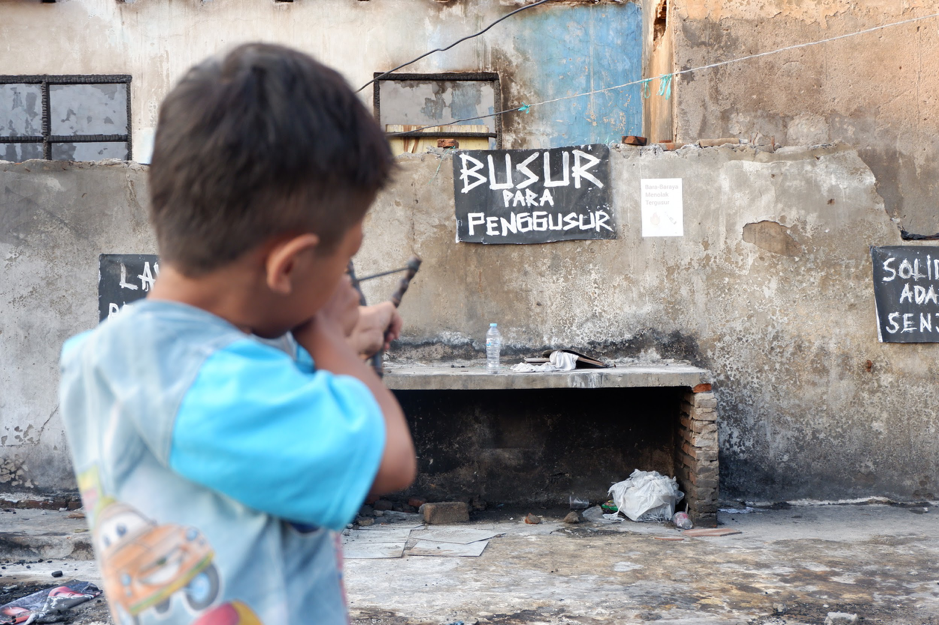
(570, 50)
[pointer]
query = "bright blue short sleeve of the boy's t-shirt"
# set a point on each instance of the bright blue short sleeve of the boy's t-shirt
(271, 433)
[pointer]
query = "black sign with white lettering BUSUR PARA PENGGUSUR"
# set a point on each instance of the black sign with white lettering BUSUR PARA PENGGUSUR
(533, 196)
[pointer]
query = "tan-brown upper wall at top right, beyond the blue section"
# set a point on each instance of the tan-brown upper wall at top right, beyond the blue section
(876, 92)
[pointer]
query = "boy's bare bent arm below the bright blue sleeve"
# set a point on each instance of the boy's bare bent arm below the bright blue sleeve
(324, 337)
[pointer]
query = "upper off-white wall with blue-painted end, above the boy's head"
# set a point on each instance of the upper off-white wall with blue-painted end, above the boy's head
(543, 53)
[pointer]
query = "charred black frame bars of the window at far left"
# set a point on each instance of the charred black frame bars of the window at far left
(47, 138)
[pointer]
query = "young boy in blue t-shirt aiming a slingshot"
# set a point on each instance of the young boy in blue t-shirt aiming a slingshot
(224, 428)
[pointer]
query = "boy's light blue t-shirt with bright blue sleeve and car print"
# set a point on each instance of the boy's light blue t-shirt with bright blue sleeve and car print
(214, 468)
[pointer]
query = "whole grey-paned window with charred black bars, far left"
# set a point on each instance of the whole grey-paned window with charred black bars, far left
(65, 118)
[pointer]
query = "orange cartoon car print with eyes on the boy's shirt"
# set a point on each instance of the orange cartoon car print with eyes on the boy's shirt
(144, 564)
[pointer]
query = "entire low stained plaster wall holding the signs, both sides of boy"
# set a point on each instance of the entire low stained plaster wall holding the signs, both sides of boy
(770, 288)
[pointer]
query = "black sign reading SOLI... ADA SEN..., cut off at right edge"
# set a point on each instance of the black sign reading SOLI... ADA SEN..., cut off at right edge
(906, 290)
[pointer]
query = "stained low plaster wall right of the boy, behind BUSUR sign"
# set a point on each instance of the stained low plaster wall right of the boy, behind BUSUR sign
(770, 288)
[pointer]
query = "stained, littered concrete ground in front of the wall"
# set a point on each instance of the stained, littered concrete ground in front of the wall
(795, 565)
